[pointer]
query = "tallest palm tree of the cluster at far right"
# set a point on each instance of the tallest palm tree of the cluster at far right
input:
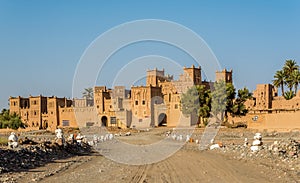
(289, 67)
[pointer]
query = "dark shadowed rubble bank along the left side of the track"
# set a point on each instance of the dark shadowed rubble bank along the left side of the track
(30, 156)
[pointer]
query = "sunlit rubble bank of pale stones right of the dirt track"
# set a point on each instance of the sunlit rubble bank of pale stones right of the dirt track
(283, 154)
